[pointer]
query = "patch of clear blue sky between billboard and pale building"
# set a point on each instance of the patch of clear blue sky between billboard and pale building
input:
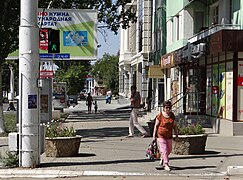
(111, 45)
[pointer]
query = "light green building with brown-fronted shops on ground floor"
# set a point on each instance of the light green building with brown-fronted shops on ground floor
(204, 59)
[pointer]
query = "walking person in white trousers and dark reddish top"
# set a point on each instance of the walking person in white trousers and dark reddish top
(135, 105)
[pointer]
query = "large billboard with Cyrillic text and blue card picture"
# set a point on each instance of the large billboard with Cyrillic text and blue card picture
(77, 33)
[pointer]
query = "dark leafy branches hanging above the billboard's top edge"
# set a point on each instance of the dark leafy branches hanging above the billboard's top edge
(111, 14)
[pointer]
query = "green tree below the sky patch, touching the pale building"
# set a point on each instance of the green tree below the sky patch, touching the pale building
(107, 70)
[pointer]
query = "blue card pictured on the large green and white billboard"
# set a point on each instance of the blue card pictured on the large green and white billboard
(75, 38)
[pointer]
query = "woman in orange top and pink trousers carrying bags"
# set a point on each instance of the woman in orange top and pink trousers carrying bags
(163, 128)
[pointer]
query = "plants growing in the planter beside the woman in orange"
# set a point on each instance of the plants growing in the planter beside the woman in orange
(189, 129)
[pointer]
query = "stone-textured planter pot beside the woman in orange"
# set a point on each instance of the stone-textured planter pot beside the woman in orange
(190, 144)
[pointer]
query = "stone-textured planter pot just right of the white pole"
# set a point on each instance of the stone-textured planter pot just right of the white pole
(62, 146)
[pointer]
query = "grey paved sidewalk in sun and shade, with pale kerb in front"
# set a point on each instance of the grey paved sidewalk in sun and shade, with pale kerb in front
(105, 151)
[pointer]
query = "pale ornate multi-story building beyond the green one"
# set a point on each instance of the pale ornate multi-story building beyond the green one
(135, 49)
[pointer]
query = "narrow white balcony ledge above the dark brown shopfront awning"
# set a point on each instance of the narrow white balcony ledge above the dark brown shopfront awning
(211, 30)
